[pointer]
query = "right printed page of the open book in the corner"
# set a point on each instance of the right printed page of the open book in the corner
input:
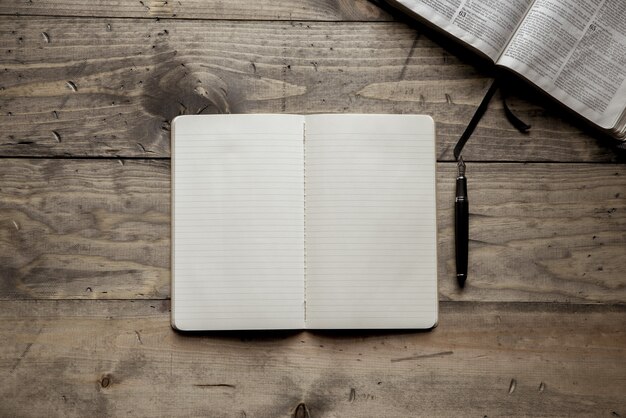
(575, 50)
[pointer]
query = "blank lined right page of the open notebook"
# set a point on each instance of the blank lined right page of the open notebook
(370, 222)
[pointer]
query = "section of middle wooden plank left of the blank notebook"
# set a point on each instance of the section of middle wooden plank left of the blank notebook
(86, 229)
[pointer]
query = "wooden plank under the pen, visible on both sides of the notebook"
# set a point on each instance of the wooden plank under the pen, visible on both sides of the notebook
(100, 229)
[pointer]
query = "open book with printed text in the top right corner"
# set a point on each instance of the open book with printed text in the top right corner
(574, 50)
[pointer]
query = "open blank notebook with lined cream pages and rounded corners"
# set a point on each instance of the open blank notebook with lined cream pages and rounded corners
(292, 222)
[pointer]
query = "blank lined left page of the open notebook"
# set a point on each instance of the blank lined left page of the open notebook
(237, 222)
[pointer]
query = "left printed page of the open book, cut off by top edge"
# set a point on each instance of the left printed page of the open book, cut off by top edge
(486, 25)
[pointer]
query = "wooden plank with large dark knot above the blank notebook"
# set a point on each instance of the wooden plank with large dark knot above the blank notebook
(110, 87)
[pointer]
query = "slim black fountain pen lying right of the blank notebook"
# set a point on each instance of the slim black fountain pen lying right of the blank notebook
(461, 224)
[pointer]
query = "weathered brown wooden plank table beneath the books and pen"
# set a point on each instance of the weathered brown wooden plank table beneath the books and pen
(87, 93)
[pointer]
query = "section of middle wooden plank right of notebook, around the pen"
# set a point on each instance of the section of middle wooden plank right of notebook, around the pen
(538, 232)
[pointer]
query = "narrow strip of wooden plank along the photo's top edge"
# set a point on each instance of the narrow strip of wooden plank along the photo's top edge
(323, 10)
